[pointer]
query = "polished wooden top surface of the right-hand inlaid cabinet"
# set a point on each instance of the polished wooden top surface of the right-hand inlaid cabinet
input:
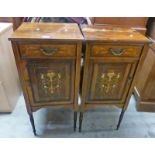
(112, 33)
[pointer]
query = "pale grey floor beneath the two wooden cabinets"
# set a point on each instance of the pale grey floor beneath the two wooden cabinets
(58, 123)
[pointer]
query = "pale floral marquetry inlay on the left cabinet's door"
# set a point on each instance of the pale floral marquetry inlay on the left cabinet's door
(51, 82)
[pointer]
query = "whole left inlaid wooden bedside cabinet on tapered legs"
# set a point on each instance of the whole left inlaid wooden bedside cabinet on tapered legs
(48, 59)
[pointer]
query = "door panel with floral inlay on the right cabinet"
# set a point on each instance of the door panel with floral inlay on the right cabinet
(109, 81)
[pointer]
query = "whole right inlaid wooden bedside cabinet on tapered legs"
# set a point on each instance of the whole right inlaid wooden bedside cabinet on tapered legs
(112, 57)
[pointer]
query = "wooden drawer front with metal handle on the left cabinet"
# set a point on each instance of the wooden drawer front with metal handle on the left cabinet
(41, 50)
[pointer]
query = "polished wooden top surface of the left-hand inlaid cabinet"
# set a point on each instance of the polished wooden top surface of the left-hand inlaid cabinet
(53, 31)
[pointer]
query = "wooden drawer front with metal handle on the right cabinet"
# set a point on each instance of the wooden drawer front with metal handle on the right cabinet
(115, 50)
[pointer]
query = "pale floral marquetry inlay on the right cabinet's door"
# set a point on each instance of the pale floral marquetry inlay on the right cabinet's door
(108, 81)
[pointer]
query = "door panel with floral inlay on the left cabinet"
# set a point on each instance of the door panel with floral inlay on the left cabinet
(51, 82)
